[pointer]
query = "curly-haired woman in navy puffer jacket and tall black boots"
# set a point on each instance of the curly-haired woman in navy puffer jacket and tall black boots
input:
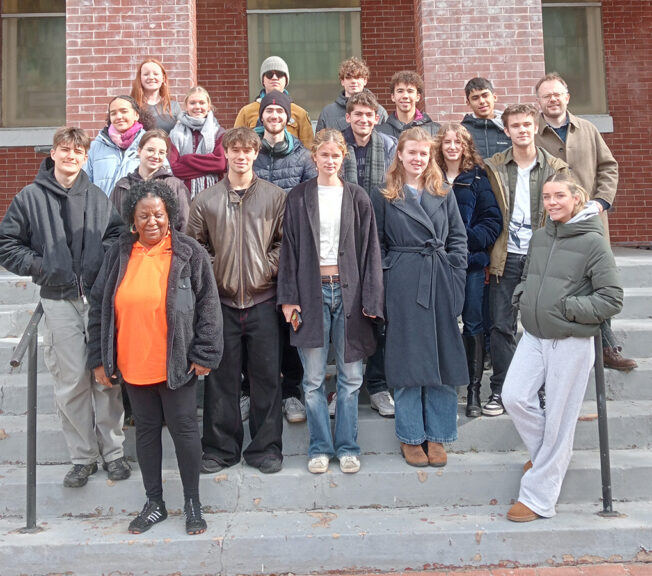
(463, 169)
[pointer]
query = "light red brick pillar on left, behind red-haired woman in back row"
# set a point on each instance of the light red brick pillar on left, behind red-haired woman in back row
(105, 42)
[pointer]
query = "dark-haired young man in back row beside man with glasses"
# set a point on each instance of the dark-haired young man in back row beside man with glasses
(484, 123)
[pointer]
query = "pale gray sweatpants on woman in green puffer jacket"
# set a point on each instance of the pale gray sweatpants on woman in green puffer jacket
(564, 366)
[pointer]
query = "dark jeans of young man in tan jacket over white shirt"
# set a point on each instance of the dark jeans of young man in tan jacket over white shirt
(504, 318)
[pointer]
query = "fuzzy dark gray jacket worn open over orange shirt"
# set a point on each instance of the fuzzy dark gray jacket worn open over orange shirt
(193, 312)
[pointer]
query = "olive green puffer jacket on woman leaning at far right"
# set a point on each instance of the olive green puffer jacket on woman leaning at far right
(570, 282)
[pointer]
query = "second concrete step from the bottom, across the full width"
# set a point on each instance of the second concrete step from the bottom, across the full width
(469, 479)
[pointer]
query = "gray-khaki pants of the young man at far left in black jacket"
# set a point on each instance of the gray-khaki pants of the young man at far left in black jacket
(91, 414)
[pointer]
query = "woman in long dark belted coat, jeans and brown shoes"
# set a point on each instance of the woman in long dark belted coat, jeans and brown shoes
(423, 244)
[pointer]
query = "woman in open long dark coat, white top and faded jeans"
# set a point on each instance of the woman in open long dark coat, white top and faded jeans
(330, 274)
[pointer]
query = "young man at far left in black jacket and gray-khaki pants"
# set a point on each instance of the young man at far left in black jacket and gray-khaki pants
(57, 230)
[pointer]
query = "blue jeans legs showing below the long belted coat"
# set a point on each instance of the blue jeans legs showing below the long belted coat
(426, 413)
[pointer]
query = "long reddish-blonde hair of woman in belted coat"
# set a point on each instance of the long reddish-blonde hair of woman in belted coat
(431, 178)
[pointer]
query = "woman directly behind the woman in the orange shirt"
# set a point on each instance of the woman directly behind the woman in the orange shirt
(152, 151)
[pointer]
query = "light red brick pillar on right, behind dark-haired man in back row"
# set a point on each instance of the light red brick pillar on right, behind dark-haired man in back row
(458, 44)
